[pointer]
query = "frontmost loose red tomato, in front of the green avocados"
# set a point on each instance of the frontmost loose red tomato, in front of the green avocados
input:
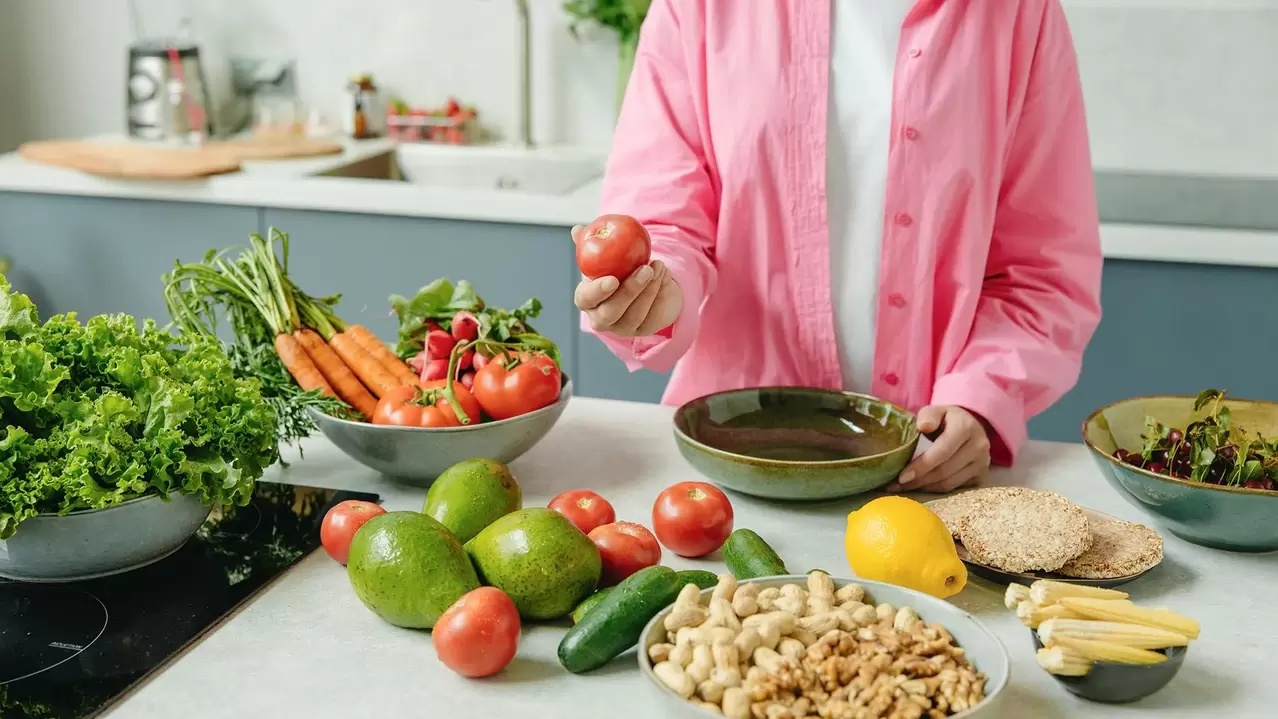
(479, 635)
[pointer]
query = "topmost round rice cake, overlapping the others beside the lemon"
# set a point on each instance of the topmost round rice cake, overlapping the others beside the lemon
(1026, 532)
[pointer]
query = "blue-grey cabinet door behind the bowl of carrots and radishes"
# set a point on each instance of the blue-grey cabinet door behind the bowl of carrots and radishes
(370, 257)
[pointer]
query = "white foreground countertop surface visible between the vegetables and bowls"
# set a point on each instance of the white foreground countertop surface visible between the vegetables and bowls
(309, 649)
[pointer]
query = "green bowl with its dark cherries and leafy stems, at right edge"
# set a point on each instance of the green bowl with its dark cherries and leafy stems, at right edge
(1206, 467)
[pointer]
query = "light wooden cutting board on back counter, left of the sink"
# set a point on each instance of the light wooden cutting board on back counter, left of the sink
(167, 163)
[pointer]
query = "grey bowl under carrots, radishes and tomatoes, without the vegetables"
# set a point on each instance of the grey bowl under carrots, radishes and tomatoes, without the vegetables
(416, 455)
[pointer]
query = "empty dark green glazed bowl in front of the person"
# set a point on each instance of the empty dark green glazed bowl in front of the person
(796, 443)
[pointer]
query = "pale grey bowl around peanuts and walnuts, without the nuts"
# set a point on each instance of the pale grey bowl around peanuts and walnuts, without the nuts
(983, 649)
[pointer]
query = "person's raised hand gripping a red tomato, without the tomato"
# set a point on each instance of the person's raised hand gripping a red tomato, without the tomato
(646, 303)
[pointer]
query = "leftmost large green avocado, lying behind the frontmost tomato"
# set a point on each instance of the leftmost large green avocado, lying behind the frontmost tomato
(408, 569)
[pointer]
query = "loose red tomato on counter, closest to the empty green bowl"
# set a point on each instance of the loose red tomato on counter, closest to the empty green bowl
(692, 519)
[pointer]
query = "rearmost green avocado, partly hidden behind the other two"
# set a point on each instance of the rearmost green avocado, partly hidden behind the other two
(471, 496)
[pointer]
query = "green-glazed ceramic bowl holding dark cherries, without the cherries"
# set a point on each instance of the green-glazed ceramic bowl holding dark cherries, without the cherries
(1222, 518)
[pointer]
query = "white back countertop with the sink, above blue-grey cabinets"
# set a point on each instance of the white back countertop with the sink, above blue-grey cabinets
(292, 185)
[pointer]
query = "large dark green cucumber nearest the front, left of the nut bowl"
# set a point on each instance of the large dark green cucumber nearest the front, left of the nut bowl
(615, 624)
